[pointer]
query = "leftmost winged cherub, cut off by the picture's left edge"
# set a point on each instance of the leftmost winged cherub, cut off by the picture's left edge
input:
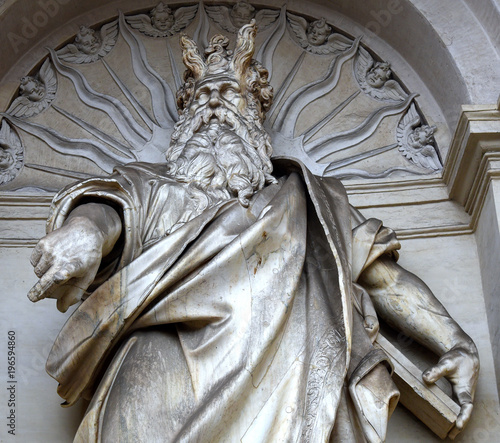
(11, 153)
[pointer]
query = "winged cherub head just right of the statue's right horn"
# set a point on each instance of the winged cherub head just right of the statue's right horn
(317, 36)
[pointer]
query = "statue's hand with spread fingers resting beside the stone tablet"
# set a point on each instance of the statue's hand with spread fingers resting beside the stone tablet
(460, 366)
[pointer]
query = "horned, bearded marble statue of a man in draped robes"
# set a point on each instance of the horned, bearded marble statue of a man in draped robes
(223, 303)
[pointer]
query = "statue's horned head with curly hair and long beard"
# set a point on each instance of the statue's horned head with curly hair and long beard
(219, 144)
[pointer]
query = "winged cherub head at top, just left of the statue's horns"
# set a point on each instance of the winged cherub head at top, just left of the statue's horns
(162, 21)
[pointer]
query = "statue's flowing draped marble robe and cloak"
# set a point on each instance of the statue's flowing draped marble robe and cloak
(234, 324)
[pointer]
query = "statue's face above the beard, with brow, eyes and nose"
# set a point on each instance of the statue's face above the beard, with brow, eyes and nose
(216, 92)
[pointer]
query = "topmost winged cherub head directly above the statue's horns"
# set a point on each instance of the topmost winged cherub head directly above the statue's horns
(231, 19)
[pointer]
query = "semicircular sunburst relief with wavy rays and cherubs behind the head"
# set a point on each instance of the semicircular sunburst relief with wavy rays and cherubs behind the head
(337, 108)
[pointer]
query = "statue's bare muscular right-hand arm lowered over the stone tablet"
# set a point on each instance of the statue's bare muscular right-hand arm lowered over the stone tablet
(405, 302)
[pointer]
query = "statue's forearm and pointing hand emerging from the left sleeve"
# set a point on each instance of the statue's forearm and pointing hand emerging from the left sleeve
(67, 259)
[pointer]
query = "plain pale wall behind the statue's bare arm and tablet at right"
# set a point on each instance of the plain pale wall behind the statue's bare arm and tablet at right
(449, 266)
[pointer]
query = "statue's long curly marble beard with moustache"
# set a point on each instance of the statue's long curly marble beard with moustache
(221, 155)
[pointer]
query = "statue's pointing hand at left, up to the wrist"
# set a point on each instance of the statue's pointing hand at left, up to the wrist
(66, 262)
